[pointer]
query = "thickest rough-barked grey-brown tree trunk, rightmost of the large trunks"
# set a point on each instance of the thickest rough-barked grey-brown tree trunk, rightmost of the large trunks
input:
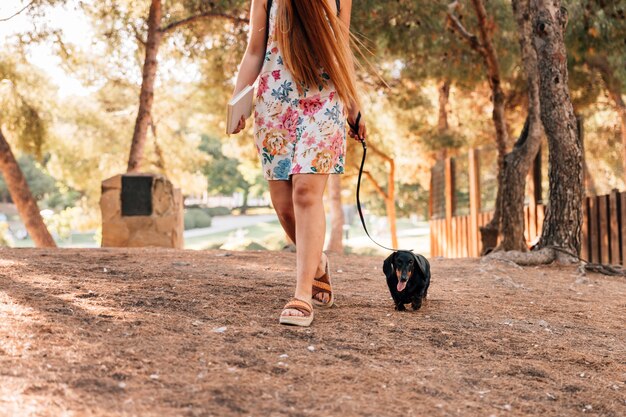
(562, 224)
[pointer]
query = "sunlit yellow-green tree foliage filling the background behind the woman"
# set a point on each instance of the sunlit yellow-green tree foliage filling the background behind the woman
(79, 141)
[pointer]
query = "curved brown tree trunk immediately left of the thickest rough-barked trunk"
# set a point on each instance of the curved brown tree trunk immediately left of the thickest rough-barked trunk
(519, 161)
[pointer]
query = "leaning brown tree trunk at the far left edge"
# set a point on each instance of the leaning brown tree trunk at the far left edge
(22, 197)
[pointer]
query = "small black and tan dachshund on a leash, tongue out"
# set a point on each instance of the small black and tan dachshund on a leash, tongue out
(408, 278)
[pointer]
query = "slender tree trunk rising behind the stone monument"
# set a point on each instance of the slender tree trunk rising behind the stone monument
(146, 96)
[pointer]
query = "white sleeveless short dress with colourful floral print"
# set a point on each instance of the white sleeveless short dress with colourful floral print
(297, 130)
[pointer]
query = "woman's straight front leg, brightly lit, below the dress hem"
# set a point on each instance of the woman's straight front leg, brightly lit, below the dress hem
(308, 191)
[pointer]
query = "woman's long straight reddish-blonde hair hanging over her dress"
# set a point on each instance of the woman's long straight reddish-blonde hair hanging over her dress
(310, 36)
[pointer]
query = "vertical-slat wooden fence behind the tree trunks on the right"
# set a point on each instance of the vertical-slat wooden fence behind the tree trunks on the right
(454, 234)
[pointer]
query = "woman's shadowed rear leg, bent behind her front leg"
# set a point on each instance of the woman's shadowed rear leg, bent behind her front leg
(281, 193)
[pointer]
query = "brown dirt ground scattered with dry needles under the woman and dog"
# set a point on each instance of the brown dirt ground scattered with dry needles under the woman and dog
(182, 333)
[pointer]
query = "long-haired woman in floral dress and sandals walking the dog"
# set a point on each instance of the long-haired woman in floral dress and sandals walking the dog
(306, 88)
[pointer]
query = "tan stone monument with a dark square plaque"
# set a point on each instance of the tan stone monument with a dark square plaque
(141, 210)
